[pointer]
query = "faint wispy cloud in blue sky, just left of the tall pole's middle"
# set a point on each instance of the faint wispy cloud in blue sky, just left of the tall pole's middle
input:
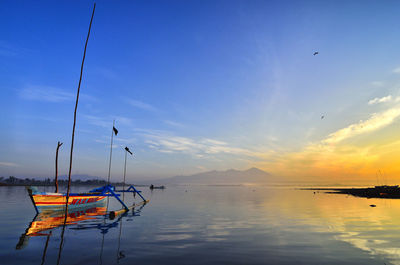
(45, 93)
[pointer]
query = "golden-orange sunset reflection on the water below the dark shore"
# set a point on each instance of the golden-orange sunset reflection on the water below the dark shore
(348, 219)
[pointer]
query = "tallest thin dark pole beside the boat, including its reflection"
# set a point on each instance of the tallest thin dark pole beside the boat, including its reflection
(72, 140)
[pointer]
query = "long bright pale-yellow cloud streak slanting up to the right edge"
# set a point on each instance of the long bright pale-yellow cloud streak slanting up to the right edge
(375, 122)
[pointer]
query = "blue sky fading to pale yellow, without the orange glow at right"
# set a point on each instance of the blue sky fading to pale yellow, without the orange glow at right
(192, 85)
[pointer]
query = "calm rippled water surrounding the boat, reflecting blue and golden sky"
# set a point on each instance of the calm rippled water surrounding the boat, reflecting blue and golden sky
(212, 225)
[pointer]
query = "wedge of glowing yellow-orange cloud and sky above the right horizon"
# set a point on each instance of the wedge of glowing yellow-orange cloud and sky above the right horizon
(363, 152)
